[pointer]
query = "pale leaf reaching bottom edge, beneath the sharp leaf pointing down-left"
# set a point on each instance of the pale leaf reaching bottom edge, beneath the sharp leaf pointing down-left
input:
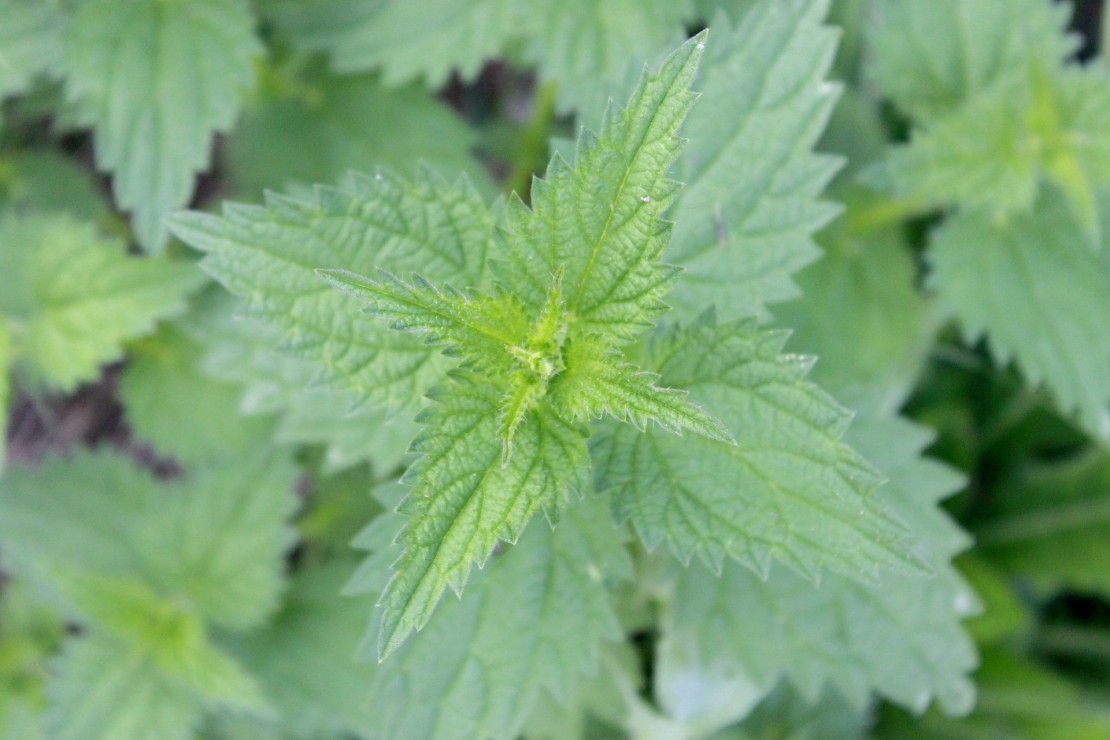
(534, 621)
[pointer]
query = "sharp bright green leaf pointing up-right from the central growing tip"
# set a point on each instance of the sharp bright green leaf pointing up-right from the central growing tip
(599, 224)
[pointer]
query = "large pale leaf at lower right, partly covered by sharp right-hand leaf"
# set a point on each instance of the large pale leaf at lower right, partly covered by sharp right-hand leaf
(900, 637)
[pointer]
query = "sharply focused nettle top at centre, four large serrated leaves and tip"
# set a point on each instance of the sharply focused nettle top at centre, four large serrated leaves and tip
(541, 315)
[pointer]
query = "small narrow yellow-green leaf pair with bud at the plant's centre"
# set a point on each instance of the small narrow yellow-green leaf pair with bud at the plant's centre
(533, 360)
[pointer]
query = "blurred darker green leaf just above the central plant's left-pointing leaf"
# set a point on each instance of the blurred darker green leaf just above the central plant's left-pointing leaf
(355, 124)
